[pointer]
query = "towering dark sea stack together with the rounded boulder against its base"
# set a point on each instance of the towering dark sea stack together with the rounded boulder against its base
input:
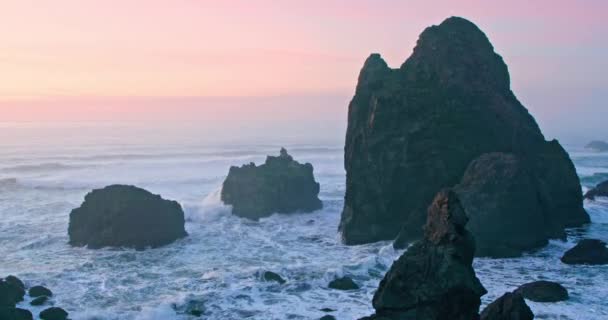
(448, 118)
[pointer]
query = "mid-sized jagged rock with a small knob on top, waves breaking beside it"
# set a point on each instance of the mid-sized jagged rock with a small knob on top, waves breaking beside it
(280, 185)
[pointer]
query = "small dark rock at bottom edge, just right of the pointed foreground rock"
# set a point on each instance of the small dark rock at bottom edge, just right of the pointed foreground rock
(511, 306)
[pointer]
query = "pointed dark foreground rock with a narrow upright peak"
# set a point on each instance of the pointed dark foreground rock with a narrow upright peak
(434, 279)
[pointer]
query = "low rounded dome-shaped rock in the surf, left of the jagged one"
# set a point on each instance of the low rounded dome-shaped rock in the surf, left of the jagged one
(125, 216)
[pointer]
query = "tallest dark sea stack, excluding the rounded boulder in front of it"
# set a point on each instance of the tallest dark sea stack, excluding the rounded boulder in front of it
(414, 130)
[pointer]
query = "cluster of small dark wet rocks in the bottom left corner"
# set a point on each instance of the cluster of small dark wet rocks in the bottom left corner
(12, 292)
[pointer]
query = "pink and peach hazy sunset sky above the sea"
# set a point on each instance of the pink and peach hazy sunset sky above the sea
(74, 60)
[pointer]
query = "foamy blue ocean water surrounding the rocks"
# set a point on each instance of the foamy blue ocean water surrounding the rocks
(46, 173)
